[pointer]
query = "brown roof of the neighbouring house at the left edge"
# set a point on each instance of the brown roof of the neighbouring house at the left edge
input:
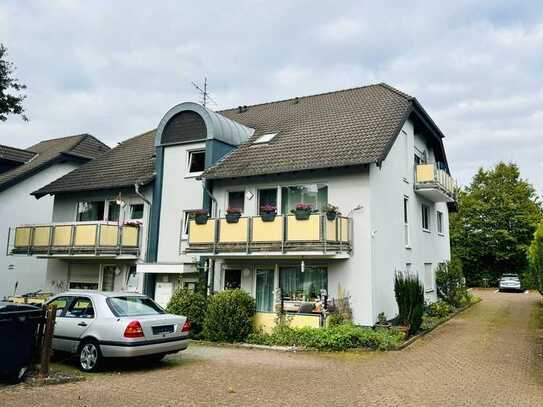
(49, 152)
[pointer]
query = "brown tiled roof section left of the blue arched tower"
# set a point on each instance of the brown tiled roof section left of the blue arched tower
(131, 162)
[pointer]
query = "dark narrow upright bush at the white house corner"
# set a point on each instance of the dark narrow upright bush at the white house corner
(409, 294)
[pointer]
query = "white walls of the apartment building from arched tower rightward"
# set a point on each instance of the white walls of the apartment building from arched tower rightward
(372, 195)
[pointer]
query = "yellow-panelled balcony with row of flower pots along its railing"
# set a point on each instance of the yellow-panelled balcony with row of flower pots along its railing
(285, 236)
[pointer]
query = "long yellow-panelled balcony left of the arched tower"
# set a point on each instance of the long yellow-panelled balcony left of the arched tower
(75, 239)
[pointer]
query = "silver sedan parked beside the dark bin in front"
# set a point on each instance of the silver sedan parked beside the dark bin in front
(97, 325)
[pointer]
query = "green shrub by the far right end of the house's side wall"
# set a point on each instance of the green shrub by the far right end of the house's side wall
(450, 282)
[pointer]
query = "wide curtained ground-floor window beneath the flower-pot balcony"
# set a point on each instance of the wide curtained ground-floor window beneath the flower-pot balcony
(305, 286)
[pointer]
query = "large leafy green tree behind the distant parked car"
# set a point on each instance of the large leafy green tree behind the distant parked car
(498, 214)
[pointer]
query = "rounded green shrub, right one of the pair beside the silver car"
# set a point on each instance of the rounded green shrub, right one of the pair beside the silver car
(229, 316)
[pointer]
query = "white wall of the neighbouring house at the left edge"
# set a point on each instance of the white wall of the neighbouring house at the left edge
(18, 207)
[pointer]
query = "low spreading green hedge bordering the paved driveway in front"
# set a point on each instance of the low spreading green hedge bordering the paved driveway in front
(334, 338)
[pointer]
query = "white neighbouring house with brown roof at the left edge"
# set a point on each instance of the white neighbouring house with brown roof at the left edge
(22, 171)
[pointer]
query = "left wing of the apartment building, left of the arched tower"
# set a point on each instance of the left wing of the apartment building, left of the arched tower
(98, 228)
